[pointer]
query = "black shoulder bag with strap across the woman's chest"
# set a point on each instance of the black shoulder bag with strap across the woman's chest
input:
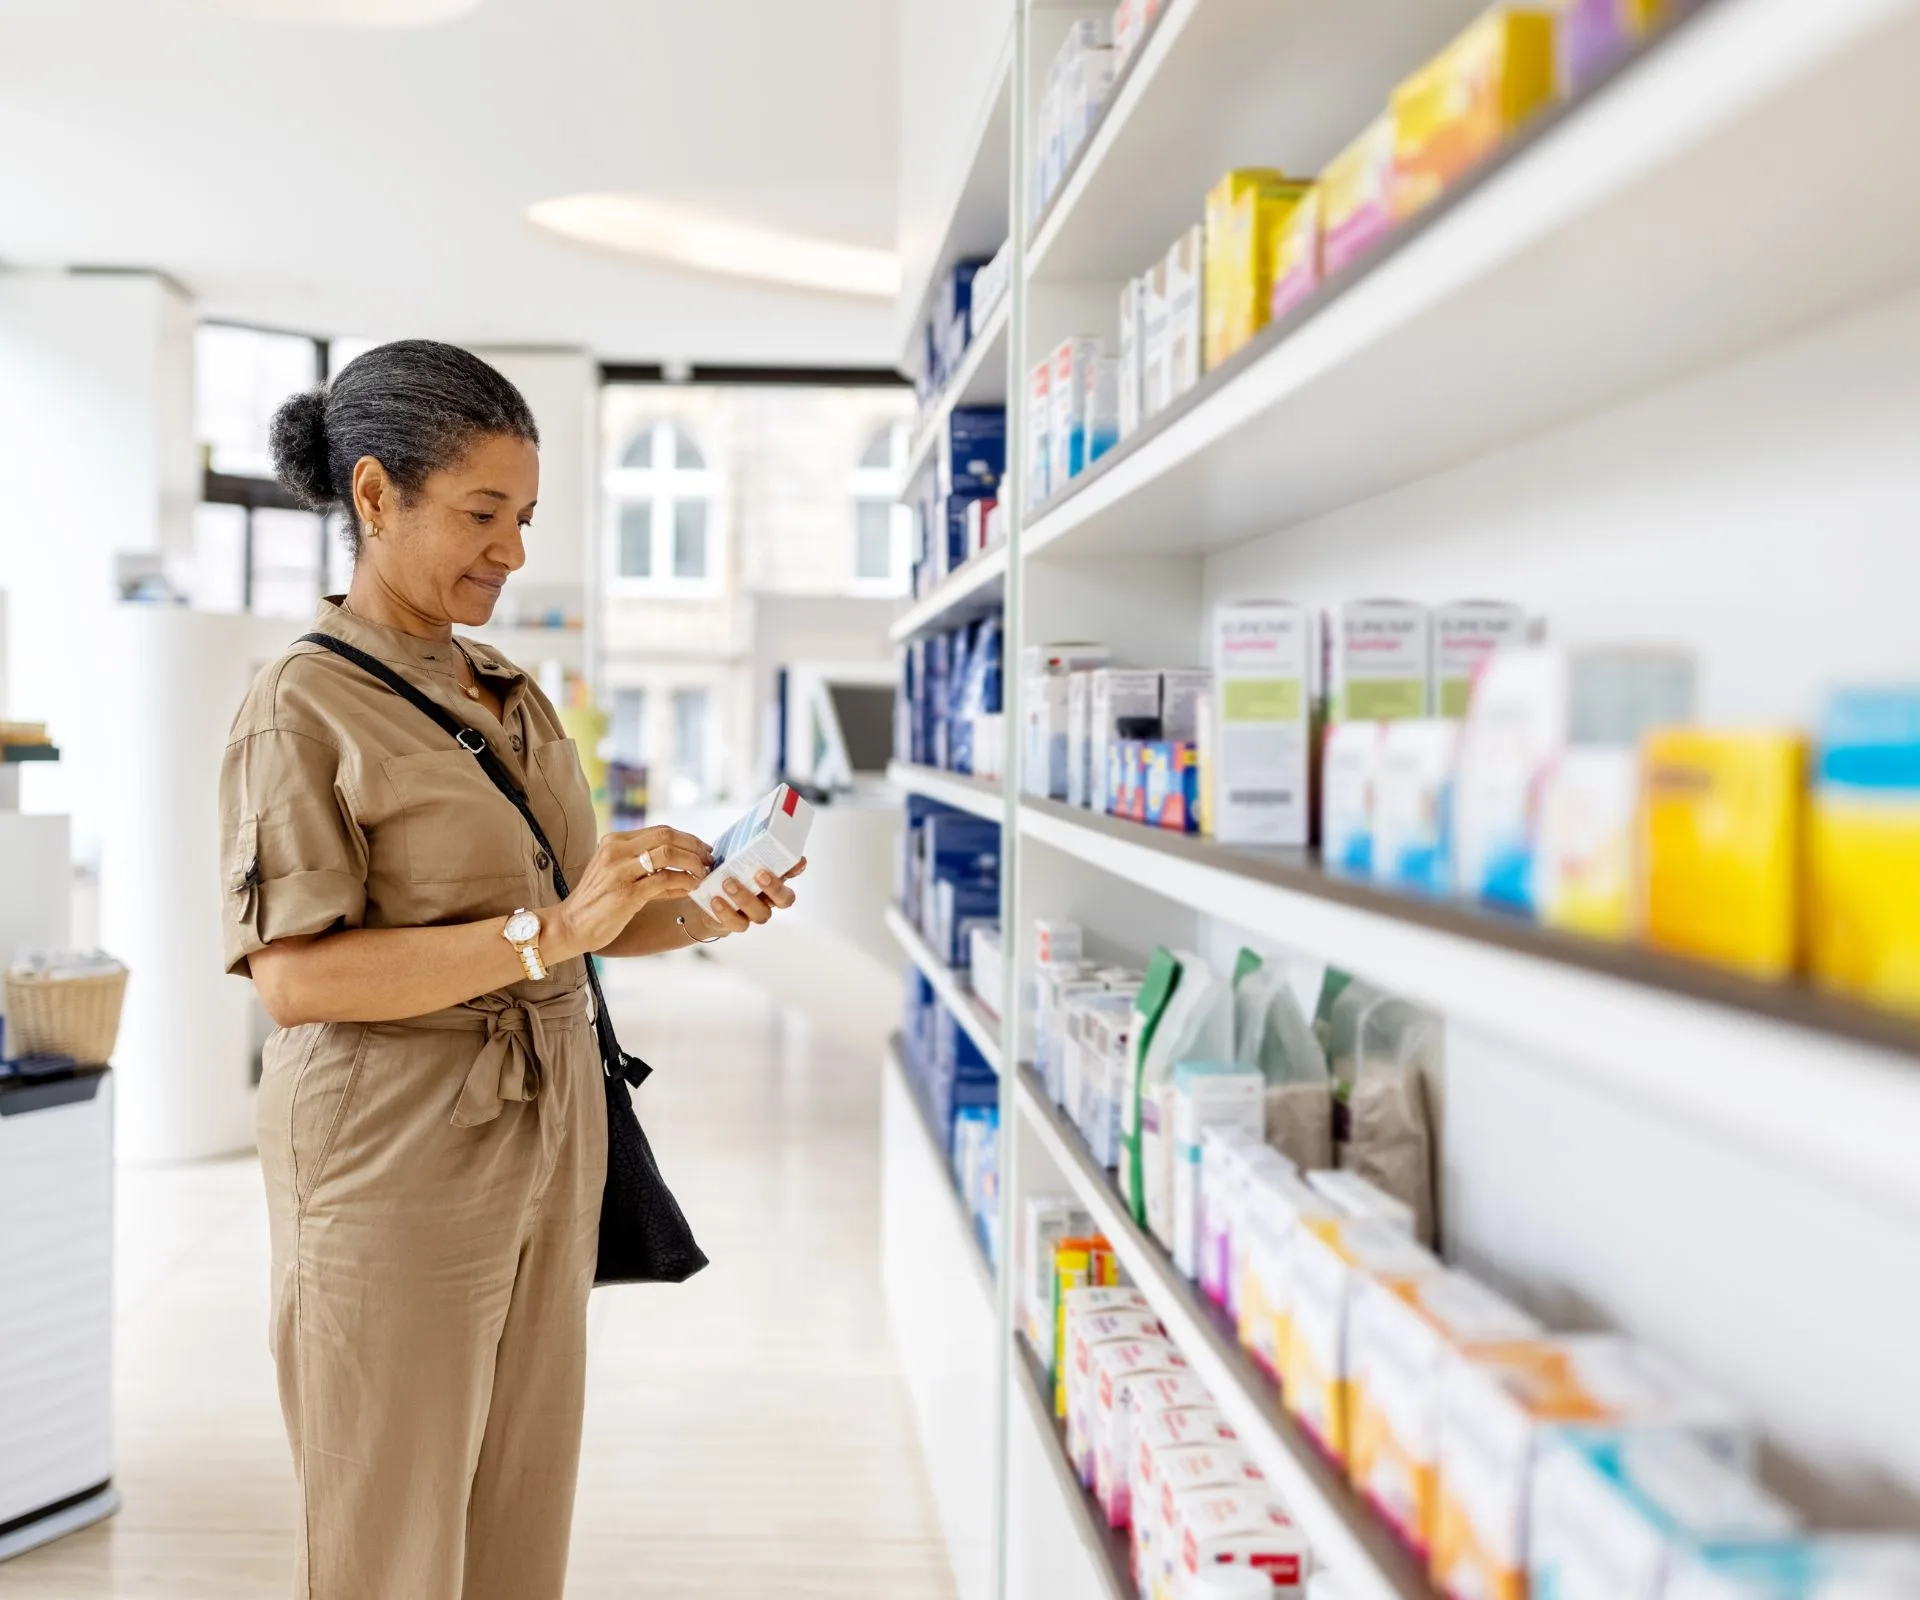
(644, 1234)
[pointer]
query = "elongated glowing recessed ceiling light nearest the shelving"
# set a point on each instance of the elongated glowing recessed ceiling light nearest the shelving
(709, 245)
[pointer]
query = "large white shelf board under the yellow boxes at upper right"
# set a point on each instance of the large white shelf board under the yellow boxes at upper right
(1608, 253)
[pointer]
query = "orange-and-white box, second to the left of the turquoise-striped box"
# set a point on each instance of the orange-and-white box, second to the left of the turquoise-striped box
(1399, 1338)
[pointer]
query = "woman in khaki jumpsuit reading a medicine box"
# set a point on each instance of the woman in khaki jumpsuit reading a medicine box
(431, 1117)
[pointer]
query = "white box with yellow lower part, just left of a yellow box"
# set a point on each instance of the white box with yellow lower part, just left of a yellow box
(1587, 854)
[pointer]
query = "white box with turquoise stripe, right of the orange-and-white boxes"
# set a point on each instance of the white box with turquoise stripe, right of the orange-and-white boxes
(1616, 1515)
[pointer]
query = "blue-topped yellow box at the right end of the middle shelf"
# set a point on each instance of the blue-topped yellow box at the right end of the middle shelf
(1863, 850)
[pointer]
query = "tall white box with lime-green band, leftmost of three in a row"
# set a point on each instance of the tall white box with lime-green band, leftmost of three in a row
(1264, 687)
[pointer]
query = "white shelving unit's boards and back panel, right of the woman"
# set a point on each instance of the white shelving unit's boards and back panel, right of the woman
(1654, 374)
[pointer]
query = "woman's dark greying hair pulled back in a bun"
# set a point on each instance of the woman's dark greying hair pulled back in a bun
(414, 406)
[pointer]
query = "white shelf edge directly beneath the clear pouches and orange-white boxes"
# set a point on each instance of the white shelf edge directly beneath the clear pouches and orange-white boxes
(1341, 1530)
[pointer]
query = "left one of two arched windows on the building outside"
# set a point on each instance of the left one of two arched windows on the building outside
(661, 504)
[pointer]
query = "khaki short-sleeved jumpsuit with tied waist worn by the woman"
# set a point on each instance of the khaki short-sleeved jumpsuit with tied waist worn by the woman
(433, 1186)
